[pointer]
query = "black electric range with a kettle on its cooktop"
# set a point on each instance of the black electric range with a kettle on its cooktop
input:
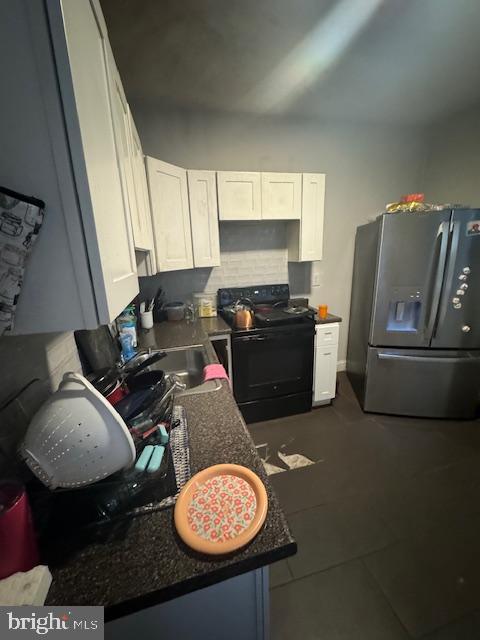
(273, 360)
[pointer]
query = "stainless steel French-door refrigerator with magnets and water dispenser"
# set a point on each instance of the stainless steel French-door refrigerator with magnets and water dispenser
(414, 335)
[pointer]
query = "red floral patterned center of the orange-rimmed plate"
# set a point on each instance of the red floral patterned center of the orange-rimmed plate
(221, 508)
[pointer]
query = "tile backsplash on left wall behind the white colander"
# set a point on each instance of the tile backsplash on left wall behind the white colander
(41, 359)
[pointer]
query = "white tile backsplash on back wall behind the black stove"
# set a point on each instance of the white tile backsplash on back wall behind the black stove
(251, 253)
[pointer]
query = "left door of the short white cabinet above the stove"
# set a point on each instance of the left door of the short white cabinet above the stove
(239, 195)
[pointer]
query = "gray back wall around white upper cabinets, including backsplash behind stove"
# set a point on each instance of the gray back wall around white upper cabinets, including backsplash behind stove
(366, 166)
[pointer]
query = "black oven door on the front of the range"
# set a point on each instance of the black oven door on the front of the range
(273, 362)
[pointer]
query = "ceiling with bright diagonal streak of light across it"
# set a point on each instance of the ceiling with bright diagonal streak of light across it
(404, 61)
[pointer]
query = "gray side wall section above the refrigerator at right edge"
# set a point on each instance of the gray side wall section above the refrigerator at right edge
(453, 162)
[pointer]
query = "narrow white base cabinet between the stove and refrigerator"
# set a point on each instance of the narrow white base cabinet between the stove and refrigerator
(325, 363)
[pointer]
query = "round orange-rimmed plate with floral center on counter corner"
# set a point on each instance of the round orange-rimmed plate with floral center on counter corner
(243, 502)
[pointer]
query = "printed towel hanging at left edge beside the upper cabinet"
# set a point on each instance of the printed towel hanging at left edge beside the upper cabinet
(20, 220)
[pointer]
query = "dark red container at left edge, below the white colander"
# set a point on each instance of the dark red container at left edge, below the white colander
(18, 545)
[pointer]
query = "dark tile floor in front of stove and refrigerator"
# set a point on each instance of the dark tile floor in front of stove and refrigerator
(387, 523)
